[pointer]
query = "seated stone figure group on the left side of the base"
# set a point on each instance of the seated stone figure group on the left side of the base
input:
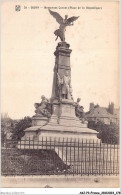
(43, 108)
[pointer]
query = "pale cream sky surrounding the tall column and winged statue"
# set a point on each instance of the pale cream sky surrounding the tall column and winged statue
(28, 44)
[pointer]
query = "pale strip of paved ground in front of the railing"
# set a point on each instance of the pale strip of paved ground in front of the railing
(60, 181)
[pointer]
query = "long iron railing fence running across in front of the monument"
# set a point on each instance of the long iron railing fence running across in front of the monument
(49, 156)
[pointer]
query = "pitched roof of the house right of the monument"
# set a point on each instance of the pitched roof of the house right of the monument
(100, 112)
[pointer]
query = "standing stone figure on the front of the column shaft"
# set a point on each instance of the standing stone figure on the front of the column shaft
(64, 86)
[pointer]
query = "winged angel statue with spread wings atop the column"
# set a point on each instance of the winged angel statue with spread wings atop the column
(63, 23)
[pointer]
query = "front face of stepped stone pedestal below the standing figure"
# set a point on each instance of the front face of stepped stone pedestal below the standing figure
(63, 122)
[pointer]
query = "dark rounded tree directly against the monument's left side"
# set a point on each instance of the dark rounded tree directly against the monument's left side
(19, 128)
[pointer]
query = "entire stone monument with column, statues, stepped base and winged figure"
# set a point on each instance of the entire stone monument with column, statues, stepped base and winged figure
(60, 116)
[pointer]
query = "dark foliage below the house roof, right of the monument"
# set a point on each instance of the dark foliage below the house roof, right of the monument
(107, 133)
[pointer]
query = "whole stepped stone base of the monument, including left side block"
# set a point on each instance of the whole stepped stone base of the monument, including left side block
(63, 123)
